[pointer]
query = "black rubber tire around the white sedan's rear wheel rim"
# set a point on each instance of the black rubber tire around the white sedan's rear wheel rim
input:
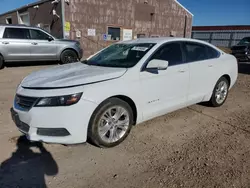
(213, 102)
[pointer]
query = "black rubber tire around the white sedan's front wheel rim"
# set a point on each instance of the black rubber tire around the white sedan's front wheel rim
(93, 128)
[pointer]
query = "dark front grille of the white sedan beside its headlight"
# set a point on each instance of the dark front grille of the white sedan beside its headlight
(24, 102)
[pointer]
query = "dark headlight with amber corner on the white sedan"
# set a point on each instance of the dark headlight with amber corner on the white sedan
(65, 100)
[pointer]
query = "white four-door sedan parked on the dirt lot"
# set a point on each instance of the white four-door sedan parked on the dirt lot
(127, 83)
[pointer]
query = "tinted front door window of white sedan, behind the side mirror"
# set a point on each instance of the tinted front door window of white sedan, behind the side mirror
(171, 53)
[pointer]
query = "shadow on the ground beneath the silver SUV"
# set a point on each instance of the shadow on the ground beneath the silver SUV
(33, 63)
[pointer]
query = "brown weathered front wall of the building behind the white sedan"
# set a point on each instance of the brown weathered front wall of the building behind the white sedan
(157, 17)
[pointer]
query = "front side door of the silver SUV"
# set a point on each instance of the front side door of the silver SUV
(42, 47)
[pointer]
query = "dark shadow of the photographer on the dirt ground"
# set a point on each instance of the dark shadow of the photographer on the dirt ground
(26, 168)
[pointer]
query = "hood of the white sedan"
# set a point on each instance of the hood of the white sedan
(70, 75)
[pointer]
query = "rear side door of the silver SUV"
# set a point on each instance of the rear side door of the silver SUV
(15, 44)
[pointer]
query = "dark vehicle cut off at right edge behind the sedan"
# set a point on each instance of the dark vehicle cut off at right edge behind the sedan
(242, 50)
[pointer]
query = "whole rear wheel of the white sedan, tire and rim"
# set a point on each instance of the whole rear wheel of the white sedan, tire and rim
(220, 92)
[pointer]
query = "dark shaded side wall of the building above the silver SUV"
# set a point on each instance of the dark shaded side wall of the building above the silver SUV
(43, 16)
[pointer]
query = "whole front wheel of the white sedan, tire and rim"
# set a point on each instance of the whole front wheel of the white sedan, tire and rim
(111, 123)
